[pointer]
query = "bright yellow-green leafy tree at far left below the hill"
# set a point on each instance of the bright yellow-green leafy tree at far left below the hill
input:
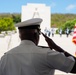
(6, 24)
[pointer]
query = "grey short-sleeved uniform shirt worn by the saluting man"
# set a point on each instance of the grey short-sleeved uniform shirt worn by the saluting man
(29, 59)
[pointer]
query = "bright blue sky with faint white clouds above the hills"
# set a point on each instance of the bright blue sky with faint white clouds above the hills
(56, 6)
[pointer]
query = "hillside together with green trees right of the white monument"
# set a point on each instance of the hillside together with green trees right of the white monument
(63, 21)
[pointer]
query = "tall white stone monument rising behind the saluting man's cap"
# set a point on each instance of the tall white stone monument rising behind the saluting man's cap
(32, 10)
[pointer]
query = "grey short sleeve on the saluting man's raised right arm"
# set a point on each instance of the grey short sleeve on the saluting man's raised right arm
(60, 62)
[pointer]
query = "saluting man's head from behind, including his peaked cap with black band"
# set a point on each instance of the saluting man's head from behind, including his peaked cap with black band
(30, 29)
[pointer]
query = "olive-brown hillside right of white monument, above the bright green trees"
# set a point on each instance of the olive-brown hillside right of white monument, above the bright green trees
(60, 19)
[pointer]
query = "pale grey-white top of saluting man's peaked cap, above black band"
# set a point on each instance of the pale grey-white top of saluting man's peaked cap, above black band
(30, 22)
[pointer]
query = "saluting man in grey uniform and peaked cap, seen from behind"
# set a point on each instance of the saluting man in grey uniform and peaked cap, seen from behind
(29, 59)
